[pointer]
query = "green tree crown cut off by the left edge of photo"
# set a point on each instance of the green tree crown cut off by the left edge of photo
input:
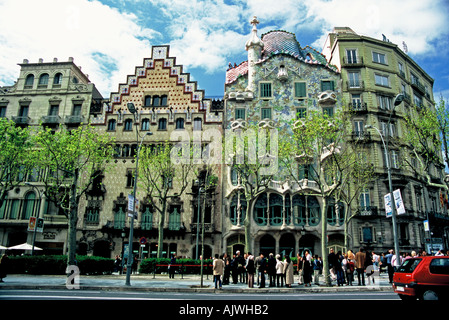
(15, 157)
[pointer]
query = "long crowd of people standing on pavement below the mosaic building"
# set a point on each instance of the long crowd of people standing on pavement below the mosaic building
(278, 271)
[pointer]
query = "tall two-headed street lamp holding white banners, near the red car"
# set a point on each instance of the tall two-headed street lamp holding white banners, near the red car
(398, 99)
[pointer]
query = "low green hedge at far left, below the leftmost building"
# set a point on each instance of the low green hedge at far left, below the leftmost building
(48, 265)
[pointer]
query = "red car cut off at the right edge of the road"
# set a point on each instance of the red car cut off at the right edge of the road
(426, 278)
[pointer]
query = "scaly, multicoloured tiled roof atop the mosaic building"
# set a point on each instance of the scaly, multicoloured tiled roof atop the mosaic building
(281, 42)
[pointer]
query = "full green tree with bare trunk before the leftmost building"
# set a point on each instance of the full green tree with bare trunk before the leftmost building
(73, 159)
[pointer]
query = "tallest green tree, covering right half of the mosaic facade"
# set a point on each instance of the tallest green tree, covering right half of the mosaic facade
(317, 160)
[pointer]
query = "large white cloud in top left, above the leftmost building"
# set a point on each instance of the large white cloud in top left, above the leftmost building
(94, 34)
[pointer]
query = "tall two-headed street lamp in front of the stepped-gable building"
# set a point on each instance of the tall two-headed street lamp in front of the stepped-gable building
(133, 110)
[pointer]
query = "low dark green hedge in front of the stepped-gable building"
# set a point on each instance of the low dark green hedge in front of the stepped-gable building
(188, 266)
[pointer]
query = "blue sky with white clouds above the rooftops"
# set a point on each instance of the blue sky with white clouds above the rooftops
(109, 38)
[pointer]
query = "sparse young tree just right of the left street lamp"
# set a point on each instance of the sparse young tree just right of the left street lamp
(164, 177)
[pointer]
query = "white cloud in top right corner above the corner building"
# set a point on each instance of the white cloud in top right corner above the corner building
(416, 22)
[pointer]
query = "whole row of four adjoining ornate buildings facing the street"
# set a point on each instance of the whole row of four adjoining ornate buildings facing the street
(279, 83)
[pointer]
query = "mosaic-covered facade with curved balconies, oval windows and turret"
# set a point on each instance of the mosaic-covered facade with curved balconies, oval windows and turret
(278, 84)
